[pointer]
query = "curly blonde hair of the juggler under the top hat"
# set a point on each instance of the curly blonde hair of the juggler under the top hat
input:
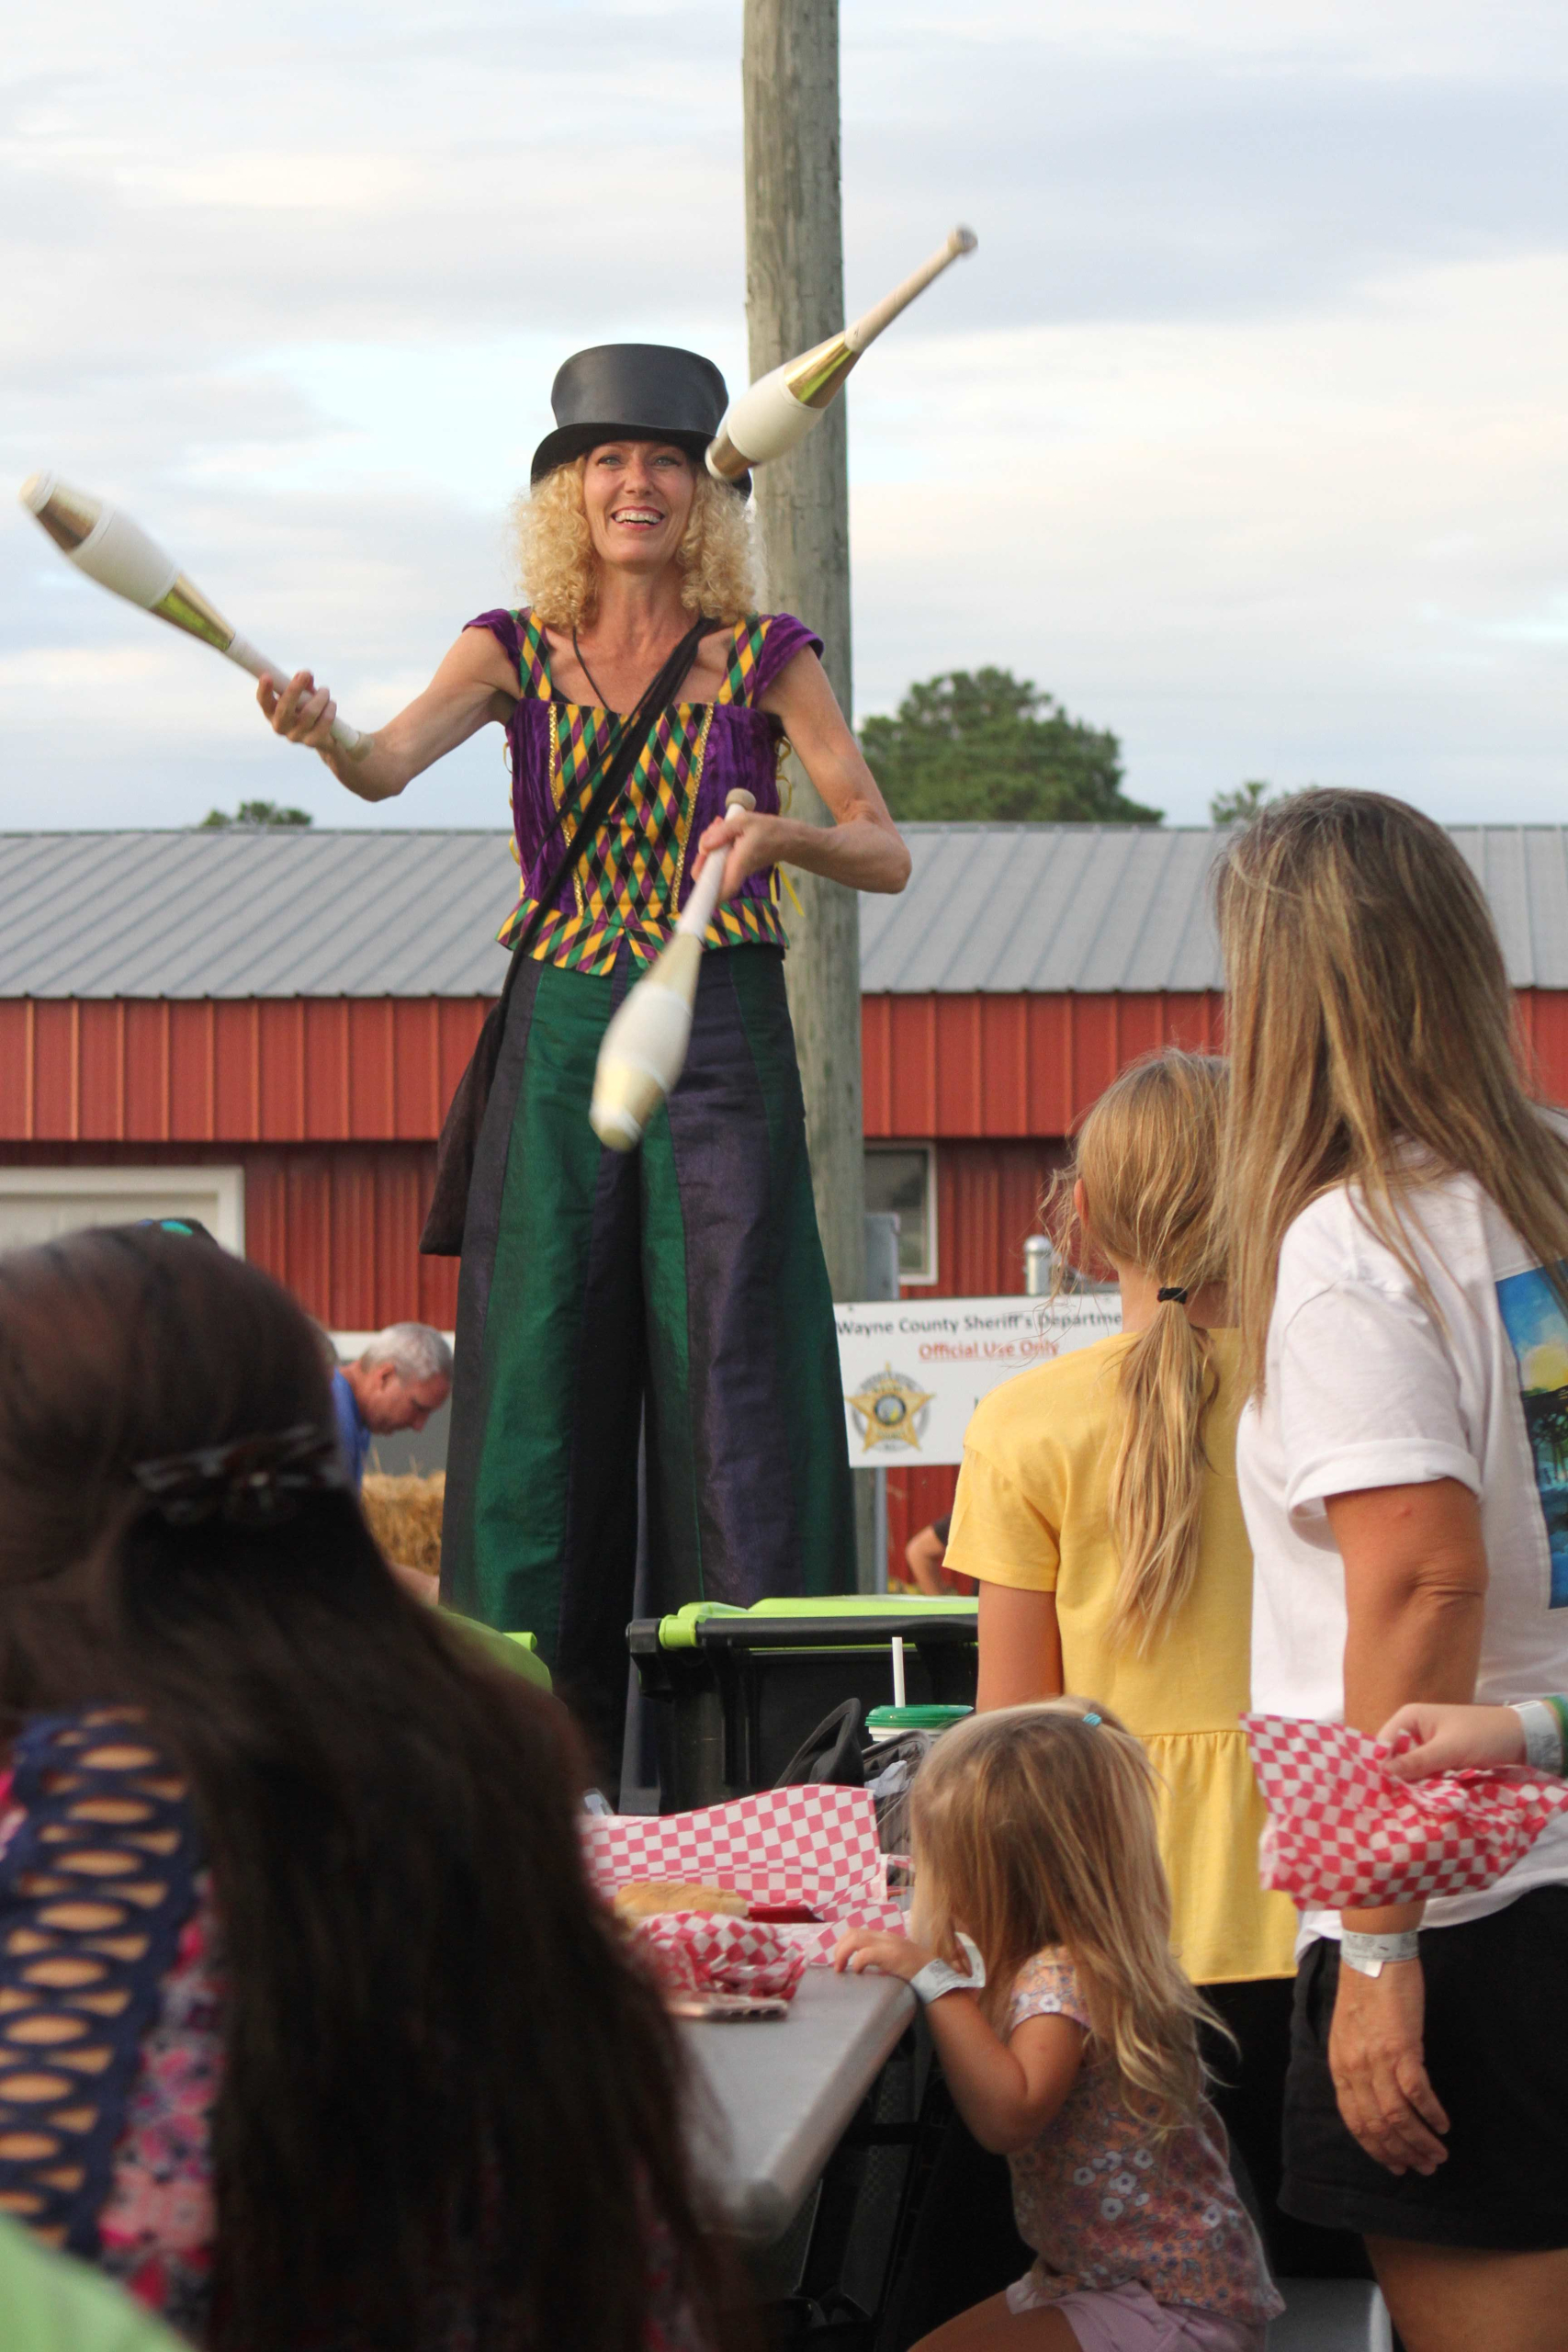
(561, 577)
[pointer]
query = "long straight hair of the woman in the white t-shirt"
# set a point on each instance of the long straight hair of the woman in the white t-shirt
(1369, 1010)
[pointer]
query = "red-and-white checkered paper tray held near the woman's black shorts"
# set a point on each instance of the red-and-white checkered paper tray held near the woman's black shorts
(1346, 1833)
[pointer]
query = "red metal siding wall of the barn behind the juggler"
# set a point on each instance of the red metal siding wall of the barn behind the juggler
(333, 1109)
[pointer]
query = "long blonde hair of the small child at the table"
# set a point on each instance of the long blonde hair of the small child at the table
(1036, 1831)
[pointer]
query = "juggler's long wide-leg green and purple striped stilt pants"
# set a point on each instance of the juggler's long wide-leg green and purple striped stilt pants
(678, 1290)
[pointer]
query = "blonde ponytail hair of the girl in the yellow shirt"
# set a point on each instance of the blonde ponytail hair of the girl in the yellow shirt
(1151, 1165)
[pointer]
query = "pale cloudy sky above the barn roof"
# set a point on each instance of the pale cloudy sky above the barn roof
(1245, 432)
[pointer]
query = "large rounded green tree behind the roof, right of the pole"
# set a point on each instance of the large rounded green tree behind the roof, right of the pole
(984, 744)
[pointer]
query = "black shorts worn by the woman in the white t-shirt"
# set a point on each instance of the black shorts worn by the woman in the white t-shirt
(1496, 2045)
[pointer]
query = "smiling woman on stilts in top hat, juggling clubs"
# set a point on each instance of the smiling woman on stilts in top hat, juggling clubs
(678, 1290)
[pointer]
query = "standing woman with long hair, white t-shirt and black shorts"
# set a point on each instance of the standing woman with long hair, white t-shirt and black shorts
(1400, 1215)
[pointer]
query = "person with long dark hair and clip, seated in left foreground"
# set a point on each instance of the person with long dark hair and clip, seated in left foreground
(311, 2029)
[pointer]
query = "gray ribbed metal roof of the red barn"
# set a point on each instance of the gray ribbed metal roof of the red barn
(413, 914)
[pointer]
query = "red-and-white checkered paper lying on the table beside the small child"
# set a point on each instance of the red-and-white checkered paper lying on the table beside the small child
(786, 1845)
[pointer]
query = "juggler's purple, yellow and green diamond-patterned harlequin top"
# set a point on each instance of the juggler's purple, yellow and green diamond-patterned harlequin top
(636, 876)
